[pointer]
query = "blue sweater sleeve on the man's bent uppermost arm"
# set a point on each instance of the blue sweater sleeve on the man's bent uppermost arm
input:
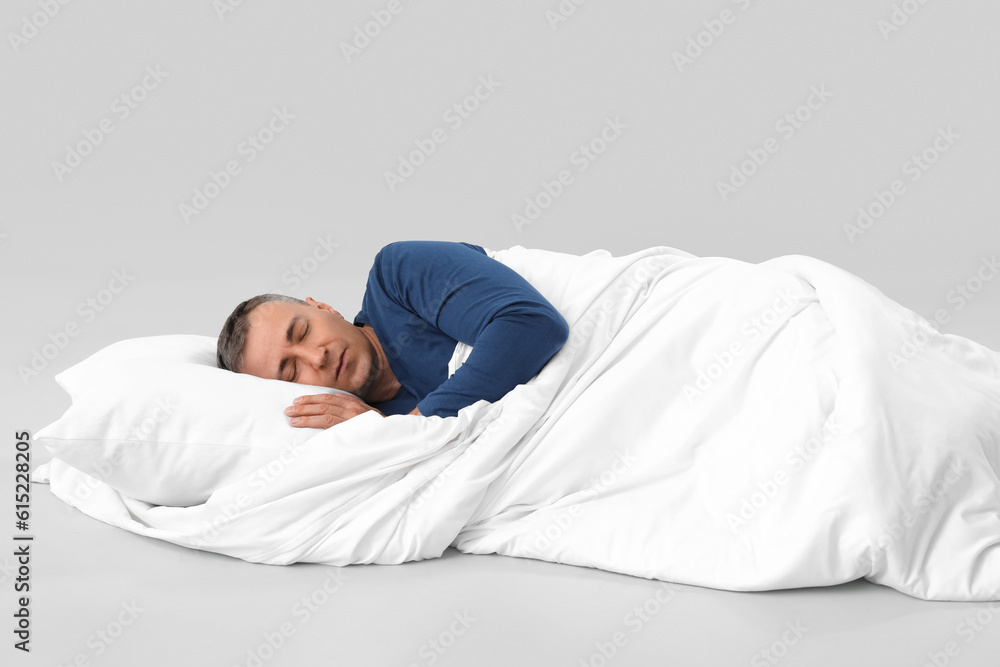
(475, 299)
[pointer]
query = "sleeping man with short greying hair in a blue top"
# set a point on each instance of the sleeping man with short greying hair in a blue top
(421, 299)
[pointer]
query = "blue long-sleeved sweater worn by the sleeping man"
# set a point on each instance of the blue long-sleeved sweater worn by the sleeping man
(422, 297)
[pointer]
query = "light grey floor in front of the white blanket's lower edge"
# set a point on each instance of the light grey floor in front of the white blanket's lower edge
(105, 596)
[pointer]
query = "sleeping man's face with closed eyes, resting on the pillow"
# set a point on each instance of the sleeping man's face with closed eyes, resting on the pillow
(311, 344)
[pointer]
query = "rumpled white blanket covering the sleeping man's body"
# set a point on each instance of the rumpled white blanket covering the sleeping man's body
(709, 422)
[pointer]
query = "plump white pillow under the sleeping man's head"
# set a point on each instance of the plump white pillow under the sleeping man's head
(157, 420)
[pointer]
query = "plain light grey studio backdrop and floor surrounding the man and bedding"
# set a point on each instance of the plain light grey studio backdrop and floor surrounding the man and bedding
(324, 177)
